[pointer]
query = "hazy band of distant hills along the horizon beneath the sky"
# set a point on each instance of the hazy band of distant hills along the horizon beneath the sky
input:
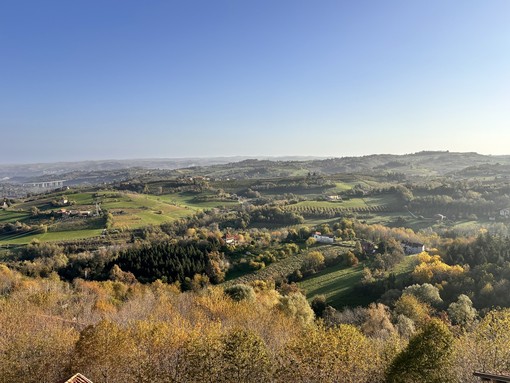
(421, 164)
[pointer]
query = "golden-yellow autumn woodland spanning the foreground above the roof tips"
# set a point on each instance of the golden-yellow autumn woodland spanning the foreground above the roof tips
(132, 332)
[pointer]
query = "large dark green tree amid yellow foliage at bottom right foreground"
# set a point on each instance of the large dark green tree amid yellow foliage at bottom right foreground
(427, 358)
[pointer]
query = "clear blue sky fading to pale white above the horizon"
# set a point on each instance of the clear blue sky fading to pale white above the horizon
(104, 79)
